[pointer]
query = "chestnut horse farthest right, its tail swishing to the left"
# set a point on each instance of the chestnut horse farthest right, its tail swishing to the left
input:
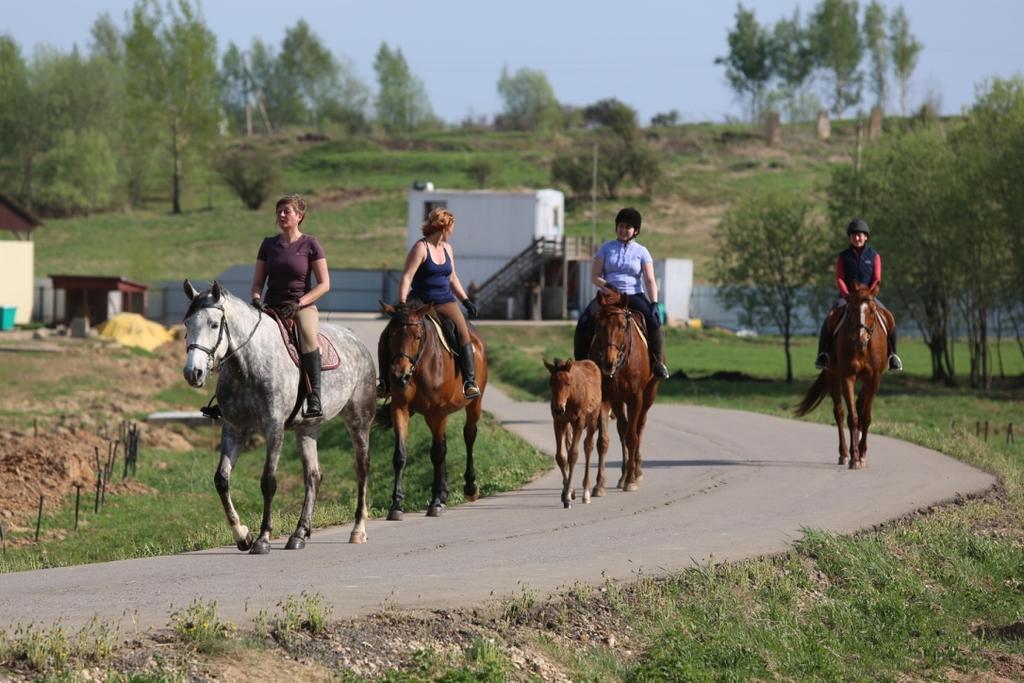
(860, 353)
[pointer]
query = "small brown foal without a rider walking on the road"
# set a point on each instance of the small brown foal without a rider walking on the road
(576, 406)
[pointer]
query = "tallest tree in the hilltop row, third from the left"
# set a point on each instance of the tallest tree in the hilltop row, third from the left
(838, 50)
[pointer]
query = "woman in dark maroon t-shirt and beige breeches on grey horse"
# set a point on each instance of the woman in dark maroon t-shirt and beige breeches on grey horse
(285, 264)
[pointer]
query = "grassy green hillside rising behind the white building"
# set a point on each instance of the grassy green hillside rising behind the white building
(357, 192)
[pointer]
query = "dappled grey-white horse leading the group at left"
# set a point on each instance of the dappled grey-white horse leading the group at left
(259, 391)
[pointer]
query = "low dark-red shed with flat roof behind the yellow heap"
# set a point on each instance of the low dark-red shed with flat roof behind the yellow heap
(98, 297)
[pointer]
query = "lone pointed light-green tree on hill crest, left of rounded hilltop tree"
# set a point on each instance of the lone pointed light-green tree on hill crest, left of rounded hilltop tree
(402, 102)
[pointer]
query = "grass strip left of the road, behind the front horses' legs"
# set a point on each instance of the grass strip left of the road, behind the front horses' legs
(185, 515)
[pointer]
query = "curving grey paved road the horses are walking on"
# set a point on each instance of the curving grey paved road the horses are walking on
(719, 486)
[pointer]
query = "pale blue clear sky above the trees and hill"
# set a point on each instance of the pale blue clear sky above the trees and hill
(656, 57)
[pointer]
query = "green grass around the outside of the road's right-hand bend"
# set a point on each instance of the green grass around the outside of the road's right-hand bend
(922, 599)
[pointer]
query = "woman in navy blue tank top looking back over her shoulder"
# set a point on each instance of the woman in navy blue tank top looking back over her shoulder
(430, 276)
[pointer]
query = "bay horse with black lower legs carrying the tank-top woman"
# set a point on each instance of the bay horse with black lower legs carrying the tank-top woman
(424, 380)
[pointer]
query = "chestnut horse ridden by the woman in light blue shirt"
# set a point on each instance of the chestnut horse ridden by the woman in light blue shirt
(628, 386)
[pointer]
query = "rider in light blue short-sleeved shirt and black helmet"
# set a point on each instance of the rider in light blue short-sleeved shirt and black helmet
(625, 265)
